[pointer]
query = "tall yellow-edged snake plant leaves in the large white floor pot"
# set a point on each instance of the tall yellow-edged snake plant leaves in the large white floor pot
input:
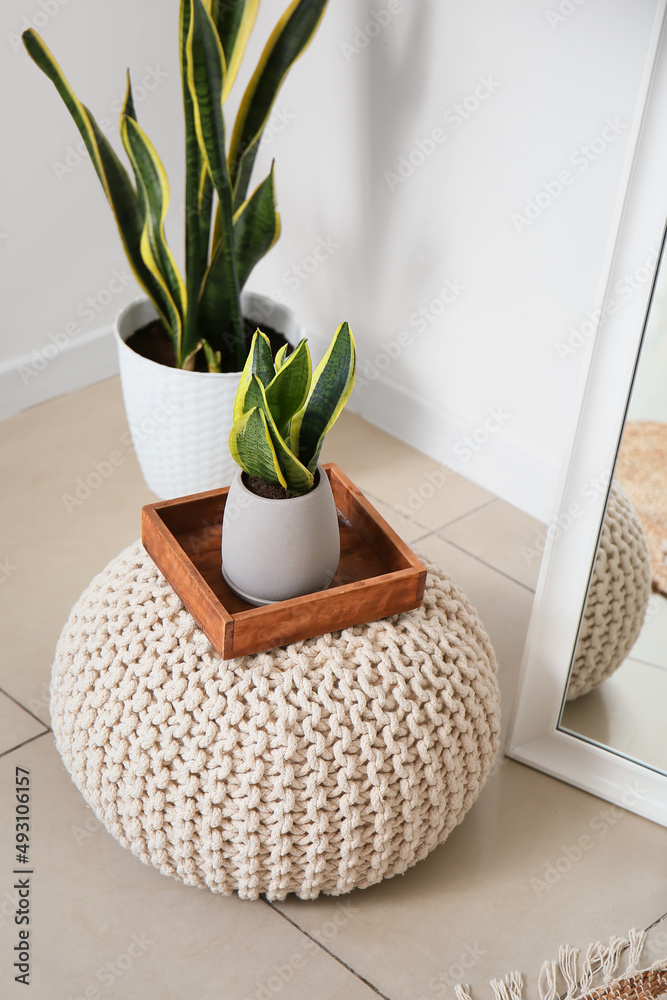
(223, 240)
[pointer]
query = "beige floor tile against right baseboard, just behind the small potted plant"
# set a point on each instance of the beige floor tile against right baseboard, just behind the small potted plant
(411, 482)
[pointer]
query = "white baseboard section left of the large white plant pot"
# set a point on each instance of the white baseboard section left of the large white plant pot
(55, 370)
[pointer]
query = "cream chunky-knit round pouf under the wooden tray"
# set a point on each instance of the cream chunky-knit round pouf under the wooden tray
(322, 766)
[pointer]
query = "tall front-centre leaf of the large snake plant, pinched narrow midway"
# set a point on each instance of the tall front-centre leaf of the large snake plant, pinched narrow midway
(219, 302)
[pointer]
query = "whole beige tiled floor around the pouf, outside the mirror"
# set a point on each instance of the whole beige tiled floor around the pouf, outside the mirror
(105, 926)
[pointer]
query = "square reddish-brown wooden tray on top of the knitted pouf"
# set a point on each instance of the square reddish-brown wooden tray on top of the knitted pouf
(377, 575)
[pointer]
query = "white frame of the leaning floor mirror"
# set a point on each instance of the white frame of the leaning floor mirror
(637, 230)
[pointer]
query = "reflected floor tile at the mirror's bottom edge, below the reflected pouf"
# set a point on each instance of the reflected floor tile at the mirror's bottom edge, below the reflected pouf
(626, 713)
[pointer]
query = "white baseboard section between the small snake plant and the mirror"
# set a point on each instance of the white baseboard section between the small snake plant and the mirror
(489, 458)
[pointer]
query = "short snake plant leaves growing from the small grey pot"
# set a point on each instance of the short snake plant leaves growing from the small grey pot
(283, 411)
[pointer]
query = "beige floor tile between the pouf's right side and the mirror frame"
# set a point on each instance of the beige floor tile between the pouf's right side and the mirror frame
(503, 606)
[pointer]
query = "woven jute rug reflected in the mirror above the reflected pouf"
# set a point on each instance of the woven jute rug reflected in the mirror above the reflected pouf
(642, 469)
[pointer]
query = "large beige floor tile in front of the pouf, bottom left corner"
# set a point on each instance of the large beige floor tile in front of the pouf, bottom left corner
(101, 921)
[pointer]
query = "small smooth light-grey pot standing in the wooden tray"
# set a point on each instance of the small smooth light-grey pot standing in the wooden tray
(276, 549)
